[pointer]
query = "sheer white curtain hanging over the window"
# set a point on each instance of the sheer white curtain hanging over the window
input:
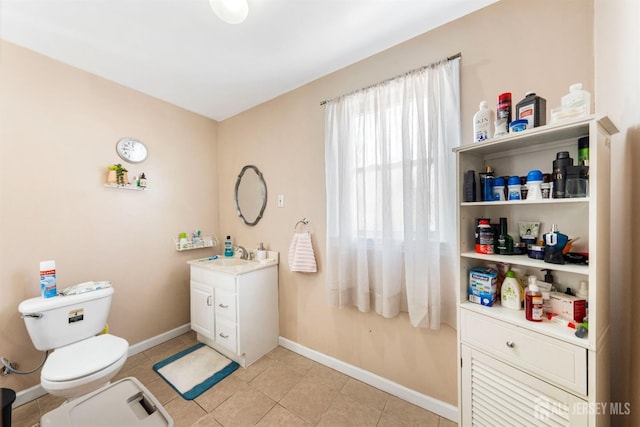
(390, 180)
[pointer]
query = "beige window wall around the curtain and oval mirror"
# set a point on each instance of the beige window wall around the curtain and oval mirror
(284, 138)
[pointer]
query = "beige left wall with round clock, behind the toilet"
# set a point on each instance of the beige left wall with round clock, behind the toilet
(58, 130)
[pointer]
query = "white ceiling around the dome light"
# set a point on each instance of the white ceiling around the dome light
(180, 52)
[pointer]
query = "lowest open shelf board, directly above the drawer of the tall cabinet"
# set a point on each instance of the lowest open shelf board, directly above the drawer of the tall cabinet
(517, 318)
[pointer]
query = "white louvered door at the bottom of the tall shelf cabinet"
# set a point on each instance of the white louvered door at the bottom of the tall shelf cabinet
(494, 393)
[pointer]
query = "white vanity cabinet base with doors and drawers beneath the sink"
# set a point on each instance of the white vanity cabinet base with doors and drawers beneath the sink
(236, 314)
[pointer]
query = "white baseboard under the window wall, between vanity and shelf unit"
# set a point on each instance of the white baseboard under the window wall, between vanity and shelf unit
(436, 406)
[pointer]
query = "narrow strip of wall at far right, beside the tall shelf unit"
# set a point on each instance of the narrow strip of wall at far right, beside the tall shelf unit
(618, 93)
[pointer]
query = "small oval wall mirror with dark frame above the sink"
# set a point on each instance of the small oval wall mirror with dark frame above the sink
(250, 195)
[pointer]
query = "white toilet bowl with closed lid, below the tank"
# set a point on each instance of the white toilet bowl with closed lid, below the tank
(84, 366)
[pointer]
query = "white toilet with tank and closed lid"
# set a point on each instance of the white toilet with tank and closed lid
(82, 361)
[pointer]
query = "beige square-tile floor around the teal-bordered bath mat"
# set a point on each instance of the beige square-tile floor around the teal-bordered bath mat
(281, 389)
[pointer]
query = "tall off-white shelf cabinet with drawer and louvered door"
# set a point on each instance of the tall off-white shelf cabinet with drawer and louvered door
(517, 372)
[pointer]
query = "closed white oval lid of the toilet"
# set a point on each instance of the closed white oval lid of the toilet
(84, 357)
